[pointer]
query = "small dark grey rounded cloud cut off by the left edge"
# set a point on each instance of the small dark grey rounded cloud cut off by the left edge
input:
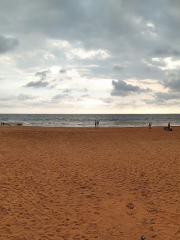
(7, 44)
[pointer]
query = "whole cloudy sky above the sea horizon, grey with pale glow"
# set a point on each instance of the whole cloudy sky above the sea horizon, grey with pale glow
(90, 56)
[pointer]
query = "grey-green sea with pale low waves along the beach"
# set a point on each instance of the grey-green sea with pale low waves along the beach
(87, 120)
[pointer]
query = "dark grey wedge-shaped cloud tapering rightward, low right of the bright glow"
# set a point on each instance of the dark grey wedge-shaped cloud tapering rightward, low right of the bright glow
(121, 88)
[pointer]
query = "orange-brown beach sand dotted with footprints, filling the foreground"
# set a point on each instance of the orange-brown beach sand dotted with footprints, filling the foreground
(89, 183)
